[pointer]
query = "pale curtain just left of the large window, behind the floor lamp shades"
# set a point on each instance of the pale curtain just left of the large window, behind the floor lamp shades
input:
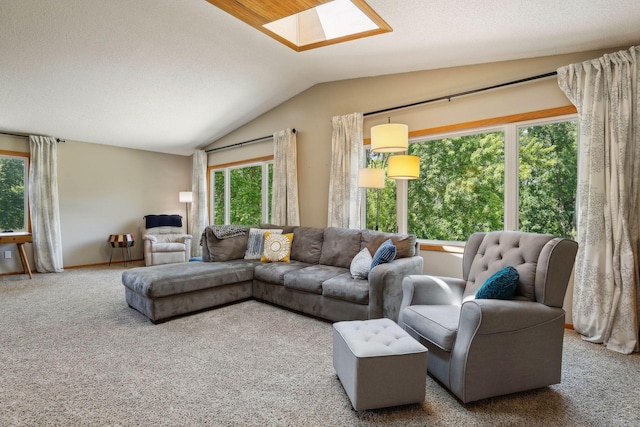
(347, 153)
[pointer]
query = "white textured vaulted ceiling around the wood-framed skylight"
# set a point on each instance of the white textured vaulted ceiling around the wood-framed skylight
(174, 75)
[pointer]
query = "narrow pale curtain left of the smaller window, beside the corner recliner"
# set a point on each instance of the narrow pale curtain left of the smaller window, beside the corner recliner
(199, 217)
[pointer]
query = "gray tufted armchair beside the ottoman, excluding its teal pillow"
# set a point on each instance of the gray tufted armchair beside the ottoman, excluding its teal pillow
(480, 348)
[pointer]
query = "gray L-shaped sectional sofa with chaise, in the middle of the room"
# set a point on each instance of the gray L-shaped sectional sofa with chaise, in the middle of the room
(316, 281)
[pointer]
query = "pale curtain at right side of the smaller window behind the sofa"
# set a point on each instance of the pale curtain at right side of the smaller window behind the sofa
(285, 209)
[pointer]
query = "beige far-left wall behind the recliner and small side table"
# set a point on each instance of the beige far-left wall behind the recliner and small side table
(106, 190)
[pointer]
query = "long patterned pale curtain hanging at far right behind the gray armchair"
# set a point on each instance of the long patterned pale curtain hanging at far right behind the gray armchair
(605, 302)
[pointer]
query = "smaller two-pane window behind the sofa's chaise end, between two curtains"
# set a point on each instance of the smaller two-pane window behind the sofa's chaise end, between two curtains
(241, 194)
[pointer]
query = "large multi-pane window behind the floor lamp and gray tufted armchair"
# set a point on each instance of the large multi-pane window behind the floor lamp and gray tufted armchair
(517, 176)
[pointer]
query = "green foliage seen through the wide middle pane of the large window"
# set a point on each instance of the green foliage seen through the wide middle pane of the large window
(460, 189)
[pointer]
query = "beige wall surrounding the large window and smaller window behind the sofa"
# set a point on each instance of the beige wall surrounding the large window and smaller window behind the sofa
(310, 114)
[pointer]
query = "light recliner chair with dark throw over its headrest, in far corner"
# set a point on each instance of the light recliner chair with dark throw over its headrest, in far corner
(164, 240)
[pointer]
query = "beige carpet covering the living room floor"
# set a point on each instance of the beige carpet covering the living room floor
(72, 353)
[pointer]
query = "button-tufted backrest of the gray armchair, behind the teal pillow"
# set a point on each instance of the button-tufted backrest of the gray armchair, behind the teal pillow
(544, 263)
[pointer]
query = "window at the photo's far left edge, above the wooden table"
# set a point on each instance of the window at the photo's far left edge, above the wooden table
(13, 192)
